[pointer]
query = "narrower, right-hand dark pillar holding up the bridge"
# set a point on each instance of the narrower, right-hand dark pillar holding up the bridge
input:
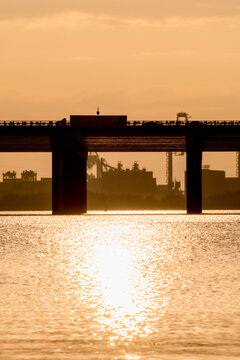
(194, 177)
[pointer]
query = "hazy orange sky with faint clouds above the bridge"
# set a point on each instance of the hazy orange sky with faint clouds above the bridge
(148, 59)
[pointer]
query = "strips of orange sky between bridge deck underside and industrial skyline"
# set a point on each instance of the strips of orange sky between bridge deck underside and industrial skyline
(156, 162)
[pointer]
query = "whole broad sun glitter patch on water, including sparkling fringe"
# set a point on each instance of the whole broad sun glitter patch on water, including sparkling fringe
(113, 277)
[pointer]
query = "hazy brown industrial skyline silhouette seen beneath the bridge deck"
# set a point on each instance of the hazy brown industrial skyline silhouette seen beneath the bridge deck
(120, 189)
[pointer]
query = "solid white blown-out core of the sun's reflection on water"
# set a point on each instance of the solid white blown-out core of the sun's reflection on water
(123, 294)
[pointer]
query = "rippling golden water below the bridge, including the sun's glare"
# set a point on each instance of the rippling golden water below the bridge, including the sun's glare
(120, 286)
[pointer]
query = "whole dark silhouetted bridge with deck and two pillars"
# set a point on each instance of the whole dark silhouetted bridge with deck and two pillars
(71, 142)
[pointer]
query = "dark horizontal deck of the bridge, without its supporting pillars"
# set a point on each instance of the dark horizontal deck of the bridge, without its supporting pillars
(130, 138)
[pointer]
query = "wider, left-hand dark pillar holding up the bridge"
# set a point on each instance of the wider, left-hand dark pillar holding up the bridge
(69, 179)
